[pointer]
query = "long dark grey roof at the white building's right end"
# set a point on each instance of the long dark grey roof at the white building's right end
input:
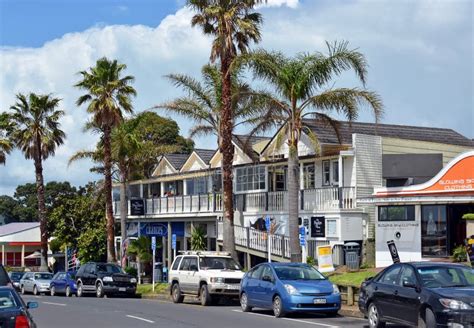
(439, 135)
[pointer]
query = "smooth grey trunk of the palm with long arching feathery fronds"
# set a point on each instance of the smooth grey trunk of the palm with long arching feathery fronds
(293, 206)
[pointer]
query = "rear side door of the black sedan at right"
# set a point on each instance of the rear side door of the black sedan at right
(384, 290)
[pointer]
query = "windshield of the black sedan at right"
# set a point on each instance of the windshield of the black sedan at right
(446, 276)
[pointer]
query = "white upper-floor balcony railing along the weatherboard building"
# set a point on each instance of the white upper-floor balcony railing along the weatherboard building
(320, 199)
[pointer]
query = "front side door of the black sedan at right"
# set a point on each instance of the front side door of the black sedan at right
(407, 296)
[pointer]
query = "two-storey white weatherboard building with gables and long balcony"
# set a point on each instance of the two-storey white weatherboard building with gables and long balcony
(185, 190)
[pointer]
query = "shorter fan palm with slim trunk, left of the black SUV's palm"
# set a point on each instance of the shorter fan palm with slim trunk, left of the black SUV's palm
(36, 132)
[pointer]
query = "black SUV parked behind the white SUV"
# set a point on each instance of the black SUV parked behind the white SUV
(104, 279)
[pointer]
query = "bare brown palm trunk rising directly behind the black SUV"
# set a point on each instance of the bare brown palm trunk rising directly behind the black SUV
(108, 196)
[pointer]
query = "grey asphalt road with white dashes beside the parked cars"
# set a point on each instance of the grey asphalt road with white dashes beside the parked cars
(90, 312)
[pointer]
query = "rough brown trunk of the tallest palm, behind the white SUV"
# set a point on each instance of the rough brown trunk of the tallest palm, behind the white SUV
(227, 151)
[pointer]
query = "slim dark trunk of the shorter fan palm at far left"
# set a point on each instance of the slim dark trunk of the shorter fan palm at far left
(41, 212)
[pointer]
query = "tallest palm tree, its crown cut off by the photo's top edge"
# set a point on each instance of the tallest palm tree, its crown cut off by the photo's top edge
(233, 26)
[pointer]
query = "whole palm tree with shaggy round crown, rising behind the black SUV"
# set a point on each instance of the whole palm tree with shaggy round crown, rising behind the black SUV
(108, 97)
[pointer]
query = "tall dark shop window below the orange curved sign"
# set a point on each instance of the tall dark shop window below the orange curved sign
(434, 231)
